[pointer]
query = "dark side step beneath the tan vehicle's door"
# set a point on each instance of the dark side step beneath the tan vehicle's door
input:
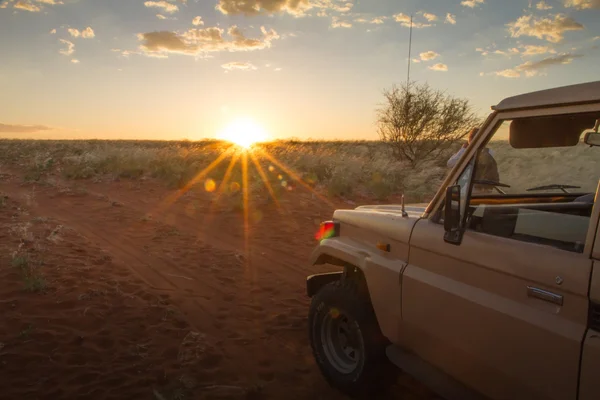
(435, 379)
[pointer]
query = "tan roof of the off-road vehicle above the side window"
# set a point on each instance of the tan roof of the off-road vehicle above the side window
(588, 92)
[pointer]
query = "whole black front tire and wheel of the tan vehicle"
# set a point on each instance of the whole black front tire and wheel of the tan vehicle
(346, 341)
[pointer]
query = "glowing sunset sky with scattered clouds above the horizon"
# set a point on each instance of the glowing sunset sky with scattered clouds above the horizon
(135, 69)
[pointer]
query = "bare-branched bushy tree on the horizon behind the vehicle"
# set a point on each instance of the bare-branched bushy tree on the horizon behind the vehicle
(420, 123)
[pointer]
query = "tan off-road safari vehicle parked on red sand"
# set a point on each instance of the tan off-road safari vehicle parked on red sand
(492, 290)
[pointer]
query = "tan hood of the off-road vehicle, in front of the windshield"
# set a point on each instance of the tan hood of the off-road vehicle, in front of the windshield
(386, 220)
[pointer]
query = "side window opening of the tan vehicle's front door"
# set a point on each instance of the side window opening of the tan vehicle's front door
(530, 183)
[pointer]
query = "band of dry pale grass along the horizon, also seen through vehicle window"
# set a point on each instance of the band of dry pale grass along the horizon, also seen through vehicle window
(337, 169)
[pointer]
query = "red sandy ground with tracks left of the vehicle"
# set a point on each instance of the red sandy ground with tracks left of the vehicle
(160, 307)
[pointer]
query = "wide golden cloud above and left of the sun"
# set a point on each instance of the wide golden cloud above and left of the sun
(195, 42)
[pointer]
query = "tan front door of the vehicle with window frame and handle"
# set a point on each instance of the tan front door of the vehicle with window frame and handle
(502, 303)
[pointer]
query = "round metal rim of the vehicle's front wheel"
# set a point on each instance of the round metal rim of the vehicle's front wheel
(342, 342)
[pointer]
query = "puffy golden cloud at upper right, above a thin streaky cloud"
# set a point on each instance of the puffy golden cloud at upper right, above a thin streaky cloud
(544, 28)
